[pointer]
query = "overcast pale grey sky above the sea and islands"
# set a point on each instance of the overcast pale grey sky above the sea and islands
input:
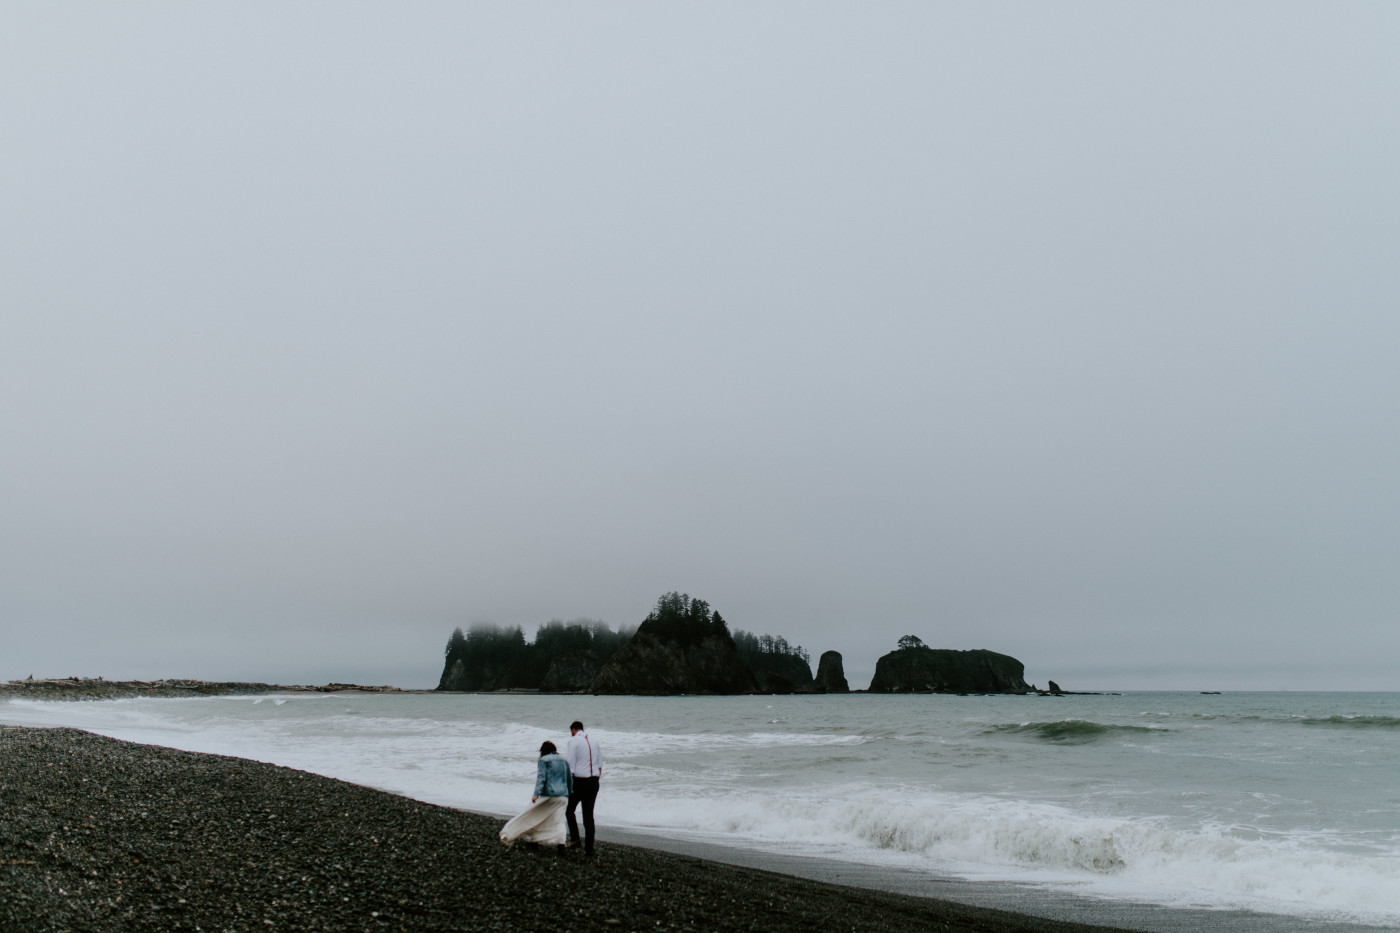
(1065, 330)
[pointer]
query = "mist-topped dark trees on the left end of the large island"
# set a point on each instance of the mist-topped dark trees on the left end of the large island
(496, 656)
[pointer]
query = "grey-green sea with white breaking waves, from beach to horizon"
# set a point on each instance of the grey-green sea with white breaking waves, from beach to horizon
(1287, 805)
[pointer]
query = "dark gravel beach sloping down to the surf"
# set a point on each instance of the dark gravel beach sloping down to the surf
(97, 834)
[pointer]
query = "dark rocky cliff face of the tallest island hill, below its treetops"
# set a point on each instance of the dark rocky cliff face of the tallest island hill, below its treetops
(670, 659)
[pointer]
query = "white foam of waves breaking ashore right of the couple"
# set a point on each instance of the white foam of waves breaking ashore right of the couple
(982, 838)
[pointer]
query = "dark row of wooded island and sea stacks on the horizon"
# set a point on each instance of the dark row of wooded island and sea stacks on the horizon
(685, 648)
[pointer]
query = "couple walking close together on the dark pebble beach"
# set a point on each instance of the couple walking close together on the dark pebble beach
(570, 778)
